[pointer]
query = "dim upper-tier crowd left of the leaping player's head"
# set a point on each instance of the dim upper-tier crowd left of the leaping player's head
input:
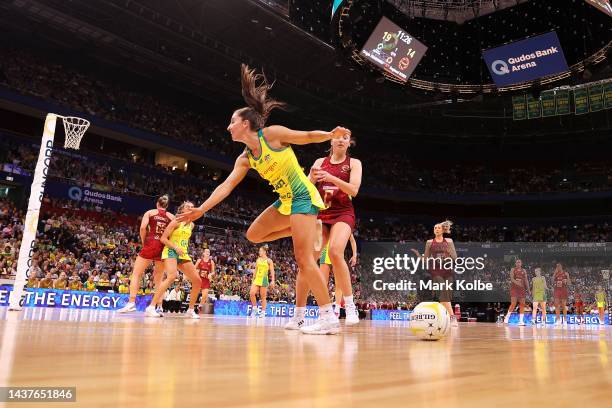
(36, 75)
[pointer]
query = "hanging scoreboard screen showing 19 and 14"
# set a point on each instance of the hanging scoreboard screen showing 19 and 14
(394, 50)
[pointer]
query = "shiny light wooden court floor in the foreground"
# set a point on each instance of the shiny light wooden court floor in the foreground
(130, 361)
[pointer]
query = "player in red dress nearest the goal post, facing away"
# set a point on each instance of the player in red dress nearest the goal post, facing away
(152, 226)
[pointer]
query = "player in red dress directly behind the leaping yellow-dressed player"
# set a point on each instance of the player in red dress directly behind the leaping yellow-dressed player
(338, 178)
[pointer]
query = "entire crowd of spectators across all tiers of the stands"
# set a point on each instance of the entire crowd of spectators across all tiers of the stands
(85, 247)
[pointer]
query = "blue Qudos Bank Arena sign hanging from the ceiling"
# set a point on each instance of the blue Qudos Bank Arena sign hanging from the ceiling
(525, 60)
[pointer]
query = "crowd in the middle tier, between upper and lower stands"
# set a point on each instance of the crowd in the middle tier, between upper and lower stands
(123, 177)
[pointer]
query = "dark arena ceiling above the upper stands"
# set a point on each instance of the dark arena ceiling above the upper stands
(197, 46)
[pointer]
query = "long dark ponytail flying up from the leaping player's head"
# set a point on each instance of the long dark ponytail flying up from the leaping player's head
(256, 97)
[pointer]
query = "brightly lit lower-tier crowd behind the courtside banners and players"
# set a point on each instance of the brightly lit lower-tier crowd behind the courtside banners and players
(83, 249)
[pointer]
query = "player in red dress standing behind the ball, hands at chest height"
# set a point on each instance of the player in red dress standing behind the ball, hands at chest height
(441, 247)
